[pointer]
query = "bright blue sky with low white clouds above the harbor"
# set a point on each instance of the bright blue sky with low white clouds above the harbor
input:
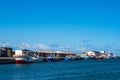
(61, 24)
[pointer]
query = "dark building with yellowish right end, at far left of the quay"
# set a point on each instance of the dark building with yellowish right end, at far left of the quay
(5, 52)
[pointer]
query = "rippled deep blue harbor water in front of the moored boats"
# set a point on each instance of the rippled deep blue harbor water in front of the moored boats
(63, 70)
